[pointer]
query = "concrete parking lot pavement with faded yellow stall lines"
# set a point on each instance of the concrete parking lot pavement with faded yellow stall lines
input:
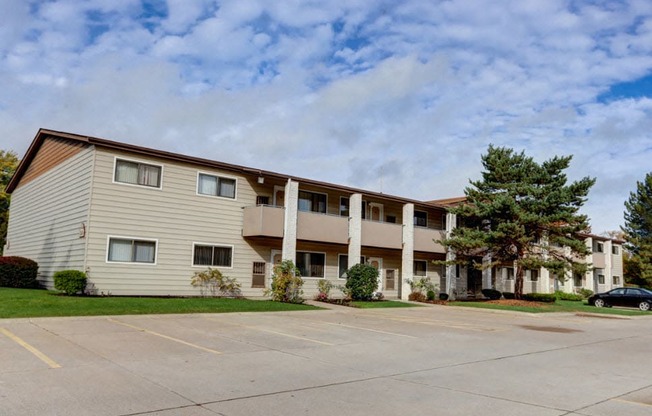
(426, 360)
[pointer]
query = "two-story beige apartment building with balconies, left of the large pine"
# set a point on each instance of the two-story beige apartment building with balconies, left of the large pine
(141, 221)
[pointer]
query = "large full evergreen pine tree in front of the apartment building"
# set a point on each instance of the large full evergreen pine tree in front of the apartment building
(523, 212)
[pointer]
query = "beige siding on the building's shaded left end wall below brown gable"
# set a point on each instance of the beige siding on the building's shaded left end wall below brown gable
(47, 214)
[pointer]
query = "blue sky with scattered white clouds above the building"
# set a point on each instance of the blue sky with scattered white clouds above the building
(399, 97)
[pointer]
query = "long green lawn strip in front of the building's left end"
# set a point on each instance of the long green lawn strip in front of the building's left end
(27, 303)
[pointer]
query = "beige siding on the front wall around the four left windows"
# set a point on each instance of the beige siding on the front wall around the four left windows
(176, 217)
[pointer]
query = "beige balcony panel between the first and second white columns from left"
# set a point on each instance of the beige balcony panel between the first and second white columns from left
(323, 228)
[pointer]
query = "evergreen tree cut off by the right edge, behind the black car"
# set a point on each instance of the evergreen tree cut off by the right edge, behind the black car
(638, 232)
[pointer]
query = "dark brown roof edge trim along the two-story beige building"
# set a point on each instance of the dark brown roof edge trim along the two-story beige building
(42, 134)
